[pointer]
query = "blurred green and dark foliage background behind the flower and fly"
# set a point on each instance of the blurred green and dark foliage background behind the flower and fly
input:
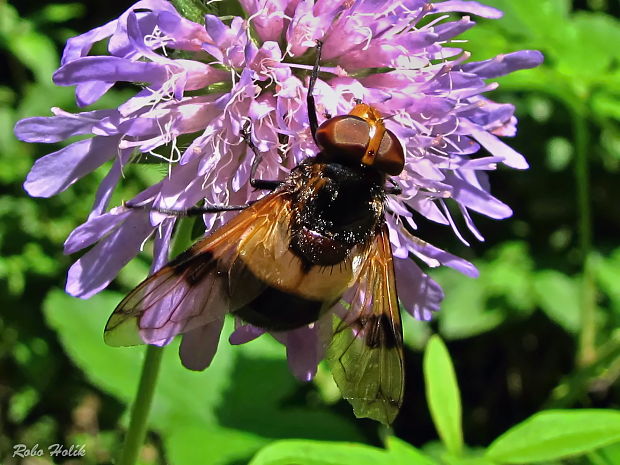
(537, 331)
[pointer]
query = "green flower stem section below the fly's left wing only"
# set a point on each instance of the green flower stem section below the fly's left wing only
(141, 406)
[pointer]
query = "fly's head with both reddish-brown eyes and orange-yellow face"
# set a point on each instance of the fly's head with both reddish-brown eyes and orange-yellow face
(361, 136)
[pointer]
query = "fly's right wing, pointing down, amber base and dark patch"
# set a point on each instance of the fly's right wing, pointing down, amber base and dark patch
(366, 352)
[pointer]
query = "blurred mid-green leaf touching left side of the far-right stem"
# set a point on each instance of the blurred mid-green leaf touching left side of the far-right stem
(558, 296)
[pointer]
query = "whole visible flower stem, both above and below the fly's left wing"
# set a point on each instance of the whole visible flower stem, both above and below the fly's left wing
(150, 369)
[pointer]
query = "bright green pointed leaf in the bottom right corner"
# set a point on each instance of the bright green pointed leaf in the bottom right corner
(555, 434)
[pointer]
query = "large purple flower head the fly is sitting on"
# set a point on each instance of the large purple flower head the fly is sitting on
(256, 70)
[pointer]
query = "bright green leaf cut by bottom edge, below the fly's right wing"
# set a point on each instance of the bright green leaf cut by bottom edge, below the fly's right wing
(292, 451)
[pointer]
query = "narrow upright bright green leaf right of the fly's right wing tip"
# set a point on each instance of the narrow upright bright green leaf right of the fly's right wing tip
(442, 393)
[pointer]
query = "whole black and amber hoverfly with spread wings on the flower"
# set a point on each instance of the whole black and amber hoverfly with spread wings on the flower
(287, 259)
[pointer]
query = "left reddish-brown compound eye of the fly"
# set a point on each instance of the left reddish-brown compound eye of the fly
(344, 138)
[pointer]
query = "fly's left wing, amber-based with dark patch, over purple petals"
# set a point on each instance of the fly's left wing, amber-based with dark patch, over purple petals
(203, 283)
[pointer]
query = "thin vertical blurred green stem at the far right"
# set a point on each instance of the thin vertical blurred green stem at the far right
(587, 336)
